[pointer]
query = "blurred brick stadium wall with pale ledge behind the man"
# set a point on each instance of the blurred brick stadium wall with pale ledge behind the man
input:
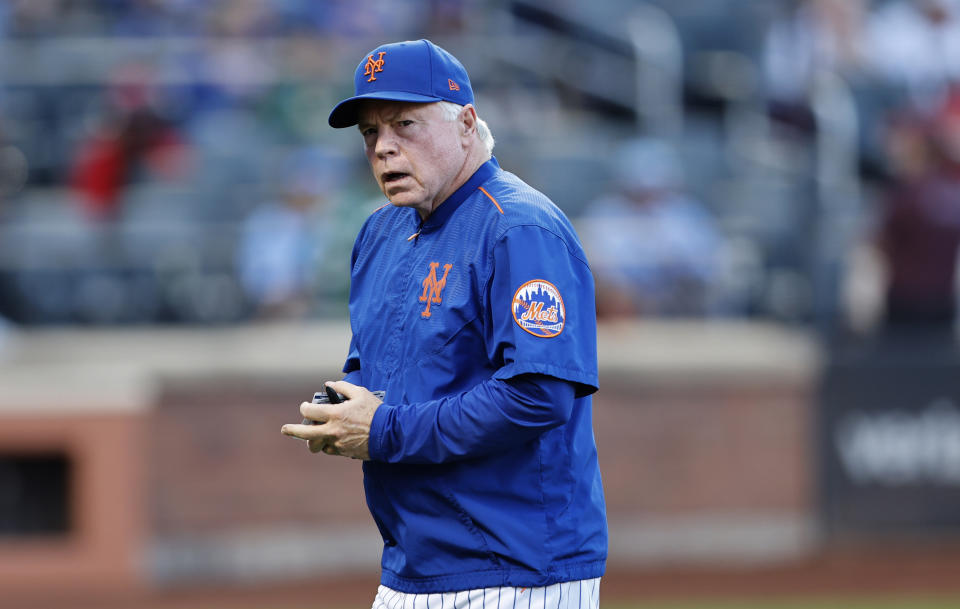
(179, 473)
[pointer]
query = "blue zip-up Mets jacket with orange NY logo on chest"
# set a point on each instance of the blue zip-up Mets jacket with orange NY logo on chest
(480, 325)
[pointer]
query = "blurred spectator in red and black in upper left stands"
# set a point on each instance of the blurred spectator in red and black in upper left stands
(134, 144)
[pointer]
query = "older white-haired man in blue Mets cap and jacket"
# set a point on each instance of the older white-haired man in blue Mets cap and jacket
(472, 308)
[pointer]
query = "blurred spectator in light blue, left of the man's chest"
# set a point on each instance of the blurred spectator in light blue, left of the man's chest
(283, 240)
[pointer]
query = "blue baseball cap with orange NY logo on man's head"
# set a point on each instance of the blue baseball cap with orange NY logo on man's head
(412, 71)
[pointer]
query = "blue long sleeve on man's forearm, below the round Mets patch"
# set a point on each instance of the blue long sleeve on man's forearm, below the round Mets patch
(493, 415)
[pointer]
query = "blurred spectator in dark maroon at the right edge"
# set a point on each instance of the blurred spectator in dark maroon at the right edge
(919, 233)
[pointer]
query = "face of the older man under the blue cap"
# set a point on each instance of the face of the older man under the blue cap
(415, 154)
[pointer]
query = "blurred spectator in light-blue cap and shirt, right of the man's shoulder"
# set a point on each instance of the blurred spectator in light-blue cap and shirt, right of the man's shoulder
(654, 250)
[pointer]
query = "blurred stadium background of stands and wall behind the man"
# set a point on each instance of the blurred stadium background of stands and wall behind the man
(768, 191)
